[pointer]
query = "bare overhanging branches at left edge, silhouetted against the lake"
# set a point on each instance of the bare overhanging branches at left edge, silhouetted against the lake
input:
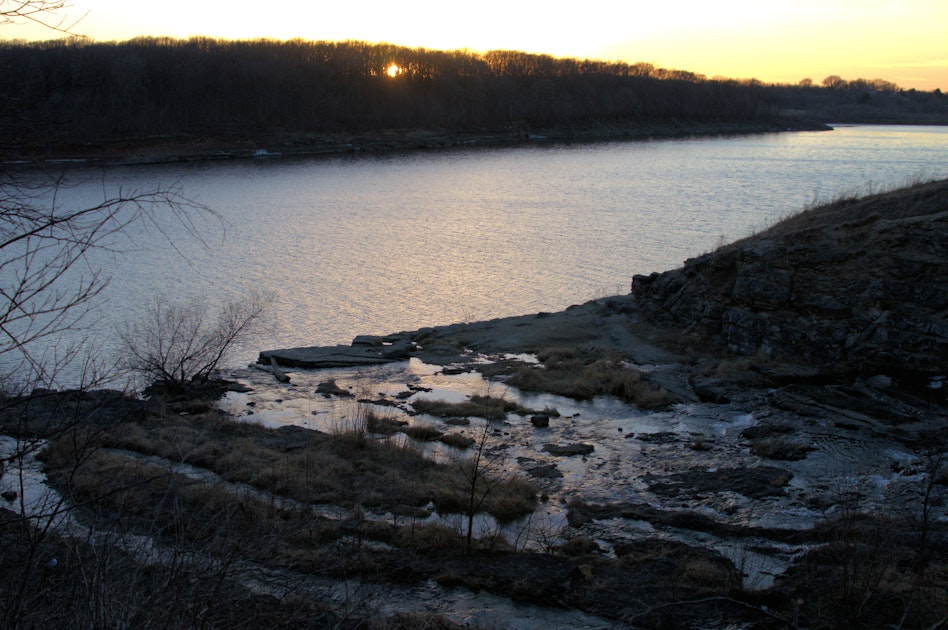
(48, 285)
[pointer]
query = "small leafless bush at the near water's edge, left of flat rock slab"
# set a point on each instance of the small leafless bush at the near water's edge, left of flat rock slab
(175, 343)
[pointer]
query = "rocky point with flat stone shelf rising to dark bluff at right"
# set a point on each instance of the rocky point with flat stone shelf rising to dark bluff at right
(844, 304)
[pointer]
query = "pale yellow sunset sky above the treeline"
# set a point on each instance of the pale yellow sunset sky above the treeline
(782, 41)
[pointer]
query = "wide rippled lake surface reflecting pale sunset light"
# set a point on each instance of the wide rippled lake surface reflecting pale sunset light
(377, 244)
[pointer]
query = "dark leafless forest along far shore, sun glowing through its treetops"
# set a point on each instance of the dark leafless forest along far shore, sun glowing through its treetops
(149, 91)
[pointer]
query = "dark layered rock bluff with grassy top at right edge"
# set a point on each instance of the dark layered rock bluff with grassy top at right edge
(858, 284)
